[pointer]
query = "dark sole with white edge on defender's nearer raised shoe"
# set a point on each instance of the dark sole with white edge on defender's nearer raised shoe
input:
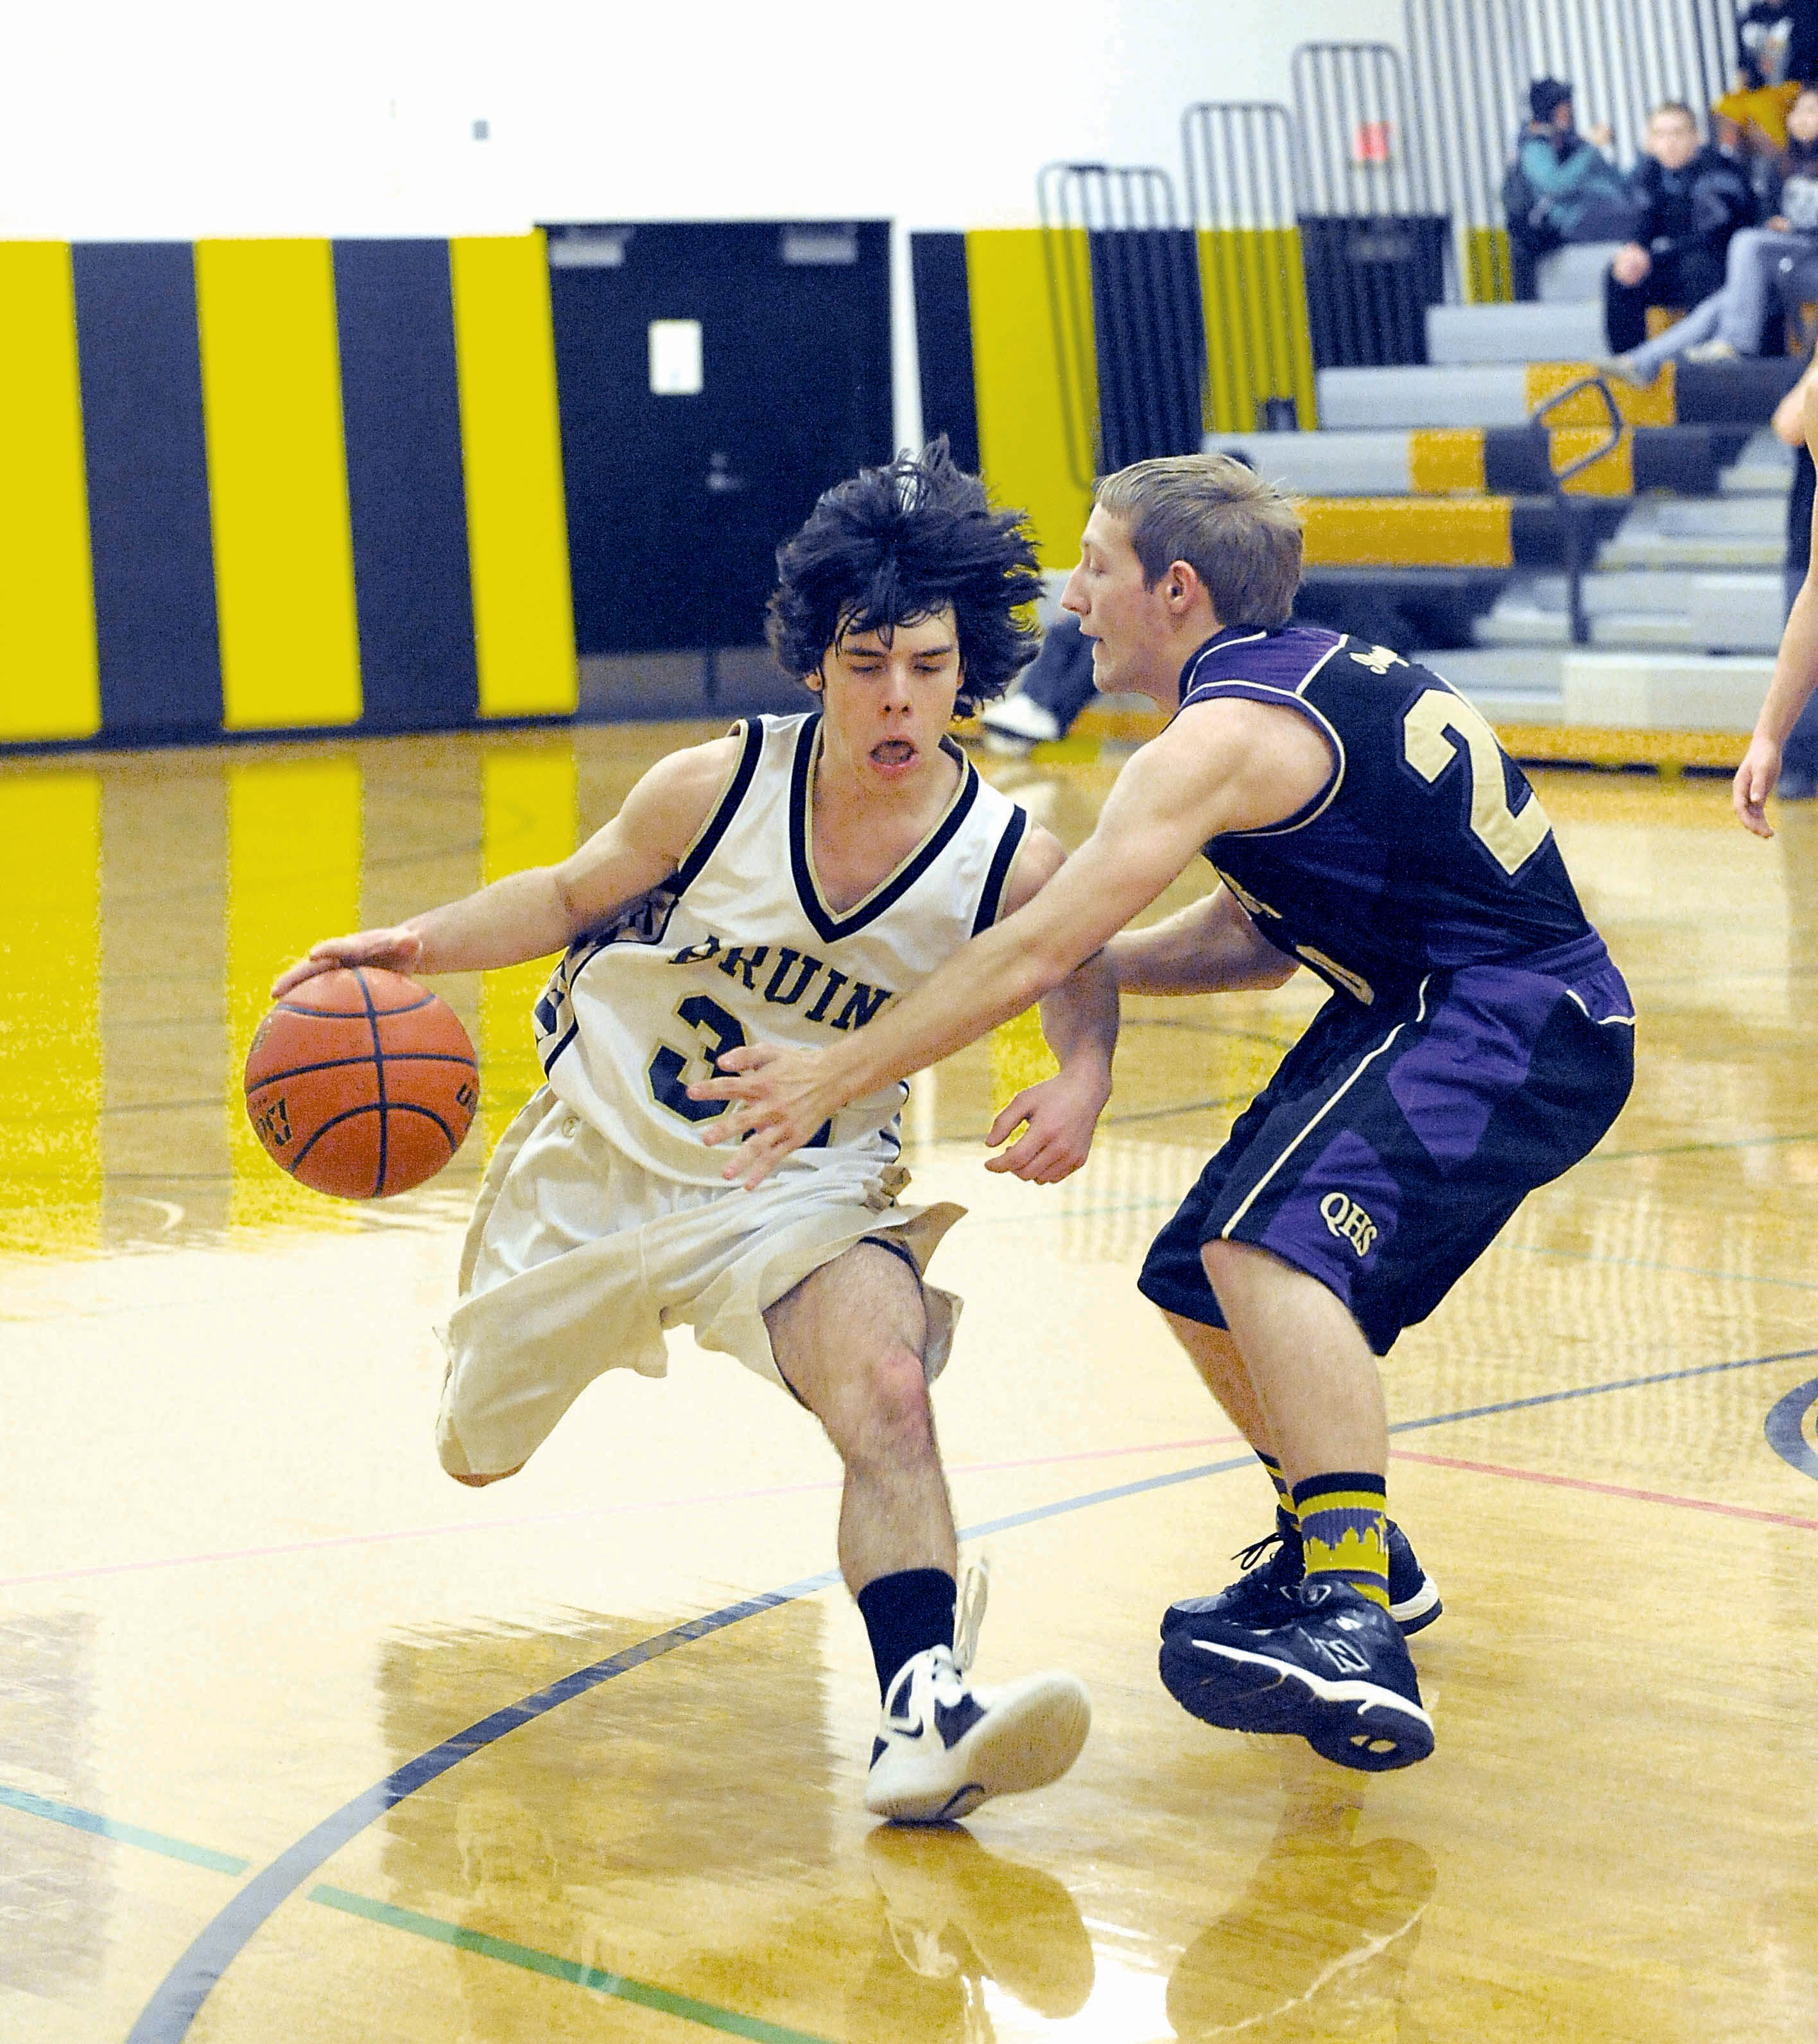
(1353, 1724)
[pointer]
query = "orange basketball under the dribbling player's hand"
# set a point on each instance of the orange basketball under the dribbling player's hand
(361, 1082)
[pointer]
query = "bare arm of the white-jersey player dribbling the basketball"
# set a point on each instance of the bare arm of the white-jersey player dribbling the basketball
(545, 909)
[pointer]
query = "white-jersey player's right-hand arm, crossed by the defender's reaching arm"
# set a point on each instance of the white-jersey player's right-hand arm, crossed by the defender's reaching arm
(1056, 1117)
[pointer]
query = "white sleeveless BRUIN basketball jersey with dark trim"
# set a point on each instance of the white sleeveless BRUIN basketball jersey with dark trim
(741, 947)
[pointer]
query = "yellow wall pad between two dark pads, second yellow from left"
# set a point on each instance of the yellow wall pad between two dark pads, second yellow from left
(277, 483)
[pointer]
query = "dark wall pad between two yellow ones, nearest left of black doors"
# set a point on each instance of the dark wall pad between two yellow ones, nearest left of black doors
(406, 492)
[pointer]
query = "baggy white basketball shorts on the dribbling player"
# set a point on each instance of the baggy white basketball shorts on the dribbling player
(578, 1260)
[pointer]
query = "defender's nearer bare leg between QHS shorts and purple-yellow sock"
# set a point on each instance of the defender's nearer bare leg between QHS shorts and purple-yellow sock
(1308, 1358)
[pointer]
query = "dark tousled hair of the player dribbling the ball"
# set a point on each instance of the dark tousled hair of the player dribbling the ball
(897, 545)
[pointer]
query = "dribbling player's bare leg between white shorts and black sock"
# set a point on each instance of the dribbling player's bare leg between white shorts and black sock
(850, 1342)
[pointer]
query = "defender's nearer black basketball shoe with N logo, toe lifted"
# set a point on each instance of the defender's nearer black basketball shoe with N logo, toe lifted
(1332, 1671)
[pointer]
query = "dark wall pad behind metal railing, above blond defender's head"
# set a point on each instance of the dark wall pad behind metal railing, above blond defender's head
(1150, 336)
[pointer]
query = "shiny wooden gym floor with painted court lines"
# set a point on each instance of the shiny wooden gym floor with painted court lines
(302, 1743)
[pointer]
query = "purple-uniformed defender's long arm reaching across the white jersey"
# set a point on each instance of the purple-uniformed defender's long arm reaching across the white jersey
(1220, 768)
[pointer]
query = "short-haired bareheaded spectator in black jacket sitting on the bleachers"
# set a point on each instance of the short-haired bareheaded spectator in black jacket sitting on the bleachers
(1690, 201)
